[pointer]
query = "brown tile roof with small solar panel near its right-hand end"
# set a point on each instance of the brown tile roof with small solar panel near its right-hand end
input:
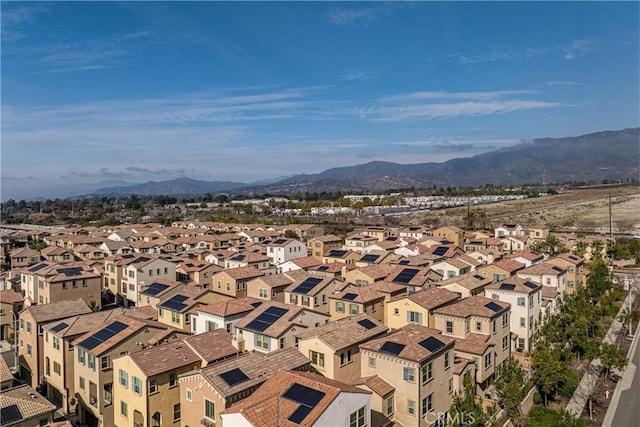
(344, 332)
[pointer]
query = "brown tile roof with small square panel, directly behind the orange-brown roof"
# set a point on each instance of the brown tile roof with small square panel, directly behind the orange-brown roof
(258, 367)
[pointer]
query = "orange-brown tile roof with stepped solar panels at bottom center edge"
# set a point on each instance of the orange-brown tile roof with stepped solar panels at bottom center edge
(266, 405)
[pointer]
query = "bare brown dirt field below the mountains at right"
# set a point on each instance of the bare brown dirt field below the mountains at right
(586, 209)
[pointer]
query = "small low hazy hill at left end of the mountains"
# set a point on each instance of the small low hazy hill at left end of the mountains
(174, 187)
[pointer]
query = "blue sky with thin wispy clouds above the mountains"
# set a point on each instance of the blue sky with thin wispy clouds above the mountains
(245, 91)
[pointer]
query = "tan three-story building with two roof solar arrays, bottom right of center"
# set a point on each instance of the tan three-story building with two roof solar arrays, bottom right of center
(418, 362)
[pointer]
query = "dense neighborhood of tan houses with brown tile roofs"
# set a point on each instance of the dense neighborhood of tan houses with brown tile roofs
(239, 325)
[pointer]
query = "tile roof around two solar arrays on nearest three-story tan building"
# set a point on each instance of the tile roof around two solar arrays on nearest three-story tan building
(409, 337)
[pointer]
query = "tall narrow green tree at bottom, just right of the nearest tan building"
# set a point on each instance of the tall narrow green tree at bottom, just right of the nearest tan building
(511, 387)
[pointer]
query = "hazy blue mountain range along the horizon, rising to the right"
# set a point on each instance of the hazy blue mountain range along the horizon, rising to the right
(609, 155)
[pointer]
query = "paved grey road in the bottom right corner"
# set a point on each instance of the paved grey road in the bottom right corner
(628, 407)
